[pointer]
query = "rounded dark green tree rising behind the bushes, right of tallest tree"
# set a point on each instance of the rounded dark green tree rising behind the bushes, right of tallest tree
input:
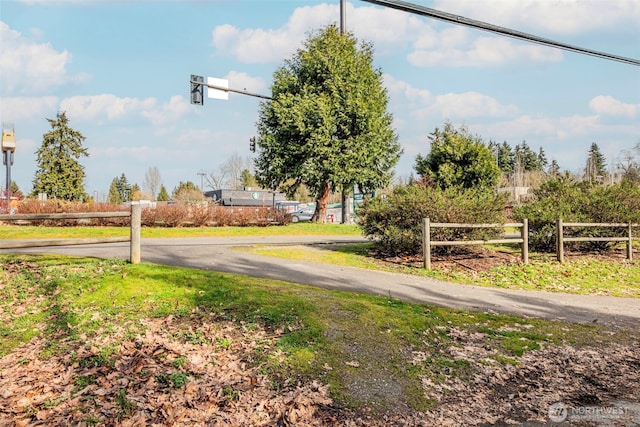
(458, 159)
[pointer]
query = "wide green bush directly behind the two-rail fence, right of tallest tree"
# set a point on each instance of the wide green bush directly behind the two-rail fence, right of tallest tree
(394, 223)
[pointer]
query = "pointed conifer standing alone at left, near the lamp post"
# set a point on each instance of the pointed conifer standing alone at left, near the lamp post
(60, 174)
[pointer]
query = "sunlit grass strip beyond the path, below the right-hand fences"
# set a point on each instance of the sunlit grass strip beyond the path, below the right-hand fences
(580, 275)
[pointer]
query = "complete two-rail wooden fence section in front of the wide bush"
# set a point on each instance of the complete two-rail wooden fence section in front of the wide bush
(427, 243)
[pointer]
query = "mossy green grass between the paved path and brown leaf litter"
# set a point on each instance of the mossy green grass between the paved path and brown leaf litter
(351, 341)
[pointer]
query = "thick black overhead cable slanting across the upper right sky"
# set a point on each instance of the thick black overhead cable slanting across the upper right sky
(461, 20)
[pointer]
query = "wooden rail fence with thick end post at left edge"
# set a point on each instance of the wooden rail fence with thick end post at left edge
(135, 215)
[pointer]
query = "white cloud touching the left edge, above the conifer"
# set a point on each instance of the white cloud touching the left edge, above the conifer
(28, 67)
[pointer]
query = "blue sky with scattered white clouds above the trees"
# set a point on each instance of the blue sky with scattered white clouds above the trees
(120, 69)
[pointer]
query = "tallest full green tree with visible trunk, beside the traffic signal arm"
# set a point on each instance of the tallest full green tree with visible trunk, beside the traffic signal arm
(327, 125)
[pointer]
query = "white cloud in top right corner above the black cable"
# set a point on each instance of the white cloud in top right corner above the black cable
(559, 16)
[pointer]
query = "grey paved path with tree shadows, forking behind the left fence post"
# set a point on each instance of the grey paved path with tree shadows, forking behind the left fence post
(216, 254)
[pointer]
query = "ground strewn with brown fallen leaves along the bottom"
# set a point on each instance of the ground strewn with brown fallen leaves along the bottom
(172, 376)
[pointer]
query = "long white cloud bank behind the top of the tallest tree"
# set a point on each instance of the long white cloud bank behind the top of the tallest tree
(389, 30)
